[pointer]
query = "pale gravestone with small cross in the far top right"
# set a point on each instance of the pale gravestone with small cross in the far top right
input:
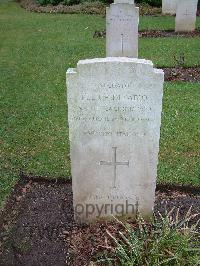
(186, 15)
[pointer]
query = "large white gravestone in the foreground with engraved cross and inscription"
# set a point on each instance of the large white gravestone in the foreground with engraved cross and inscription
(114, 114)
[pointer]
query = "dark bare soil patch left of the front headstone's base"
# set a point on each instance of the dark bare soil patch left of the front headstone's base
(34, 224)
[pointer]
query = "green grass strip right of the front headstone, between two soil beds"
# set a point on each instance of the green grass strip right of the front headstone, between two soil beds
(179, 160)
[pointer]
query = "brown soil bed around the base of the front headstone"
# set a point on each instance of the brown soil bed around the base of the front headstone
(37, 226)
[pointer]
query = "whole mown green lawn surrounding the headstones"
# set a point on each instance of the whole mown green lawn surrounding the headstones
(35, 52)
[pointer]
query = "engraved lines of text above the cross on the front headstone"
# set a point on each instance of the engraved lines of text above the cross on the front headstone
(99, 108)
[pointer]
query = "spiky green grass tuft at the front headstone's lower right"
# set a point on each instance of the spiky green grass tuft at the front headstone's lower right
(167, 240)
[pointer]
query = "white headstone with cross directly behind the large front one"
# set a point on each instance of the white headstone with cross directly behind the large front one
(122, 21)
